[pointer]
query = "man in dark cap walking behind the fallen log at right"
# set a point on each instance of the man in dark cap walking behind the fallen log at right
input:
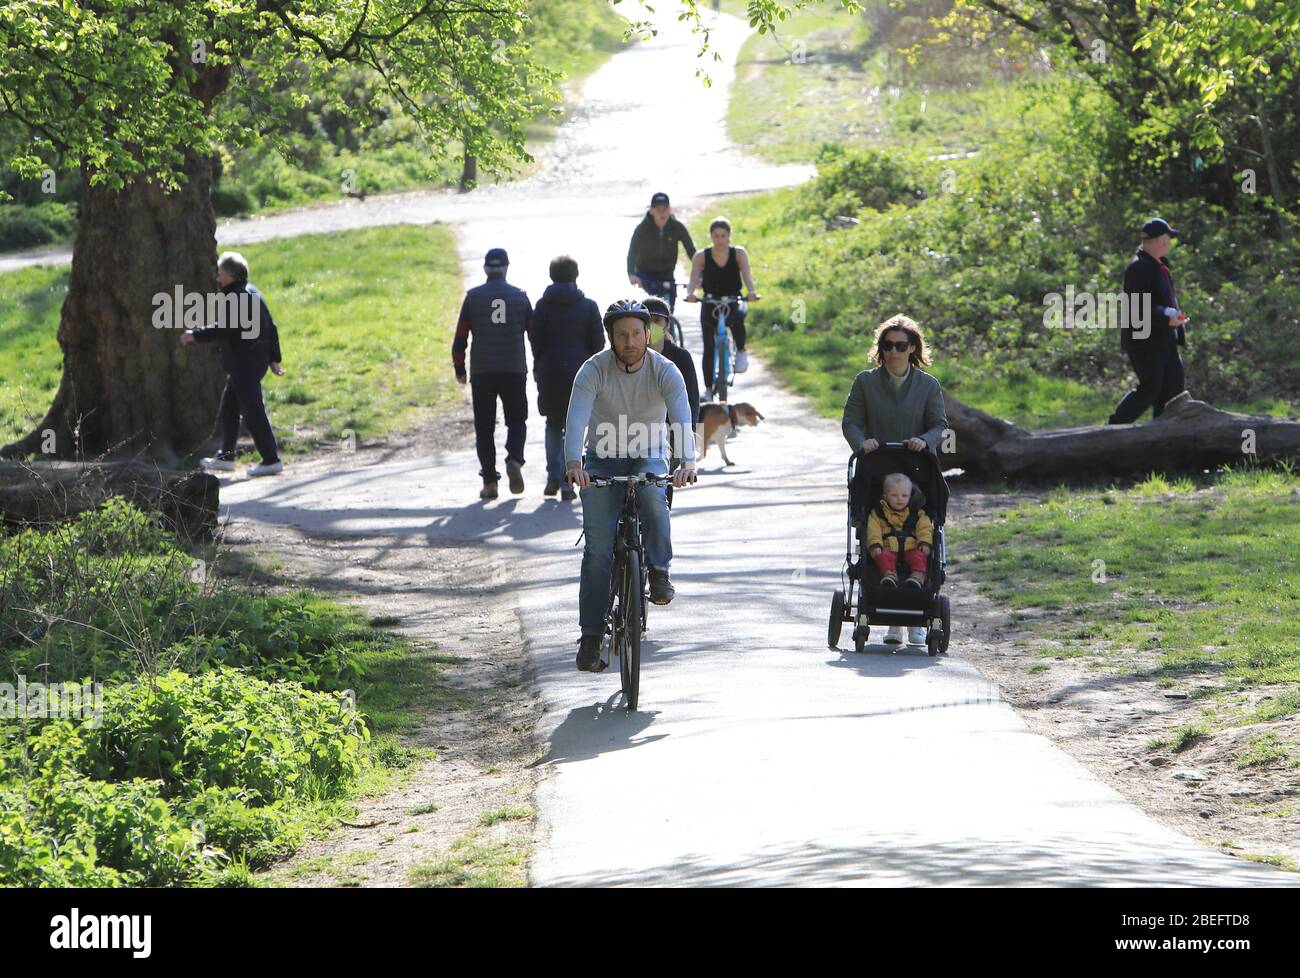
(1152, 347)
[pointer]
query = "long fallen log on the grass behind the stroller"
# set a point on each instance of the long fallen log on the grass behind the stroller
(1189, 435)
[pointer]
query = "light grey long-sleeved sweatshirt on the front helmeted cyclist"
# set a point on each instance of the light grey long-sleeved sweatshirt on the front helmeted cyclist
(622, 413)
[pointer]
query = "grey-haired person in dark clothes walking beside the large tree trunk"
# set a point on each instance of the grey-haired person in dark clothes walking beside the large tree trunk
(250, 347)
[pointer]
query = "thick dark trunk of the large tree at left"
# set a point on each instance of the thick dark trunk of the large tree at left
(128, 388)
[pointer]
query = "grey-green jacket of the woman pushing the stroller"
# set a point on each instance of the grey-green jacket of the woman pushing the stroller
(876, 410)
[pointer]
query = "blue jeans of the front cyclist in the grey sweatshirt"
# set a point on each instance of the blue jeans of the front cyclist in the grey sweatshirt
(601, 509)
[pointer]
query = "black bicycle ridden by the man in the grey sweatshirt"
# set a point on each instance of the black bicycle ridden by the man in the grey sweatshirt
(626, 615)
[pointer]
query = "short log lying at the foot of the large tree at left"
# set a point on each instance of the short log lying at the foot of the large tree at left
(44, 494)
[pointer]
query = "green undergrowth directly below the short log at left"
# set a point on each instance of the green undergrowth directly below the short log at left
(111, 594)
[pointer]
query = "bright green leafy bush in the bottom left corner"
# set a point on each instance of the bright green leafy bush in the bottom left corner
(174, 781)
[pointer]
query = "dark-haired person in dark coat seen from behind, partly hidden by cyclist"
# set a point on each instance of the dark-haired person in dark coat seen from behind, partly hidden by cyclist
(567, 330)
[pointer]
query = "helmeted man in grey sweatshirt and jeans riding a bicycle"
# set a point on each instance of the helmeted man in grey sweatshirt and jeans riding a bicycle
(621, 397)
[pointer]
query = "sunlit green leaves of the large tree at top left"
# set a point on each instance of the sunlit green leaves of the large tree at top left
(129, 89)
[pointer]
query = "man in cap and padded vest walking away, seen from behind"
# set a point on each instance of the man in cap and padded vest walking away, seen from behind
(500, 317)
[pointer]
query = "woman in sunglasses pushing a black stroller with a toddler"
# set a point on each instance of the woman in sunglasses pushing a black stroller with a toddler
(898, 401)
